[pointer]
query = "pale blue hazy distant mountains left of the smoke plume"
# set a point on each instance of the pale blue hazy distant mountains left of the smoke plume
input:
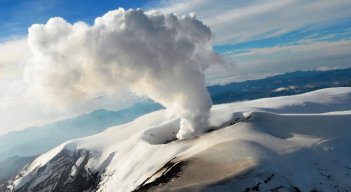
(36, 140)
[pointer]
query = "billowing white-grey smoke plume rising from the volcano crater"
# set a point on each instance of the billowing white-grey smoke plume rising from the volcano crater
(161, 56)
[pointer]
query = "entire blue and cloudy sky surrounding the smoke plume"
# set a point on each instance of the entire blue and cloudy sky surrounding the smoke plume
(257, 38)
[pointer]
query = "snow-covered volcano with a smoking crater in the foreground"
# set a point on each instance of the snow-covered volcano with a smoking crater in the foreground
(292, 143)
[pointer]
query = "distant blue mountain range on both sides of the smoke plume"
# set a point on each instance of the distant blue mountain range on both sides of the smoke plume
(17, 146)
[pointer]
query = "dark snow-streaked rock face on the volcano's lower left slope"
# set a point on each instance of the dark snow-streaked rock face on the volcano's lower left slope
(66, 172)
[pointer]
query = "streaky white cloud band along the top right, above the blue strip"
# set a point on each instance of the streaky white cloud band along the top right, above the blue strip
(236, 21)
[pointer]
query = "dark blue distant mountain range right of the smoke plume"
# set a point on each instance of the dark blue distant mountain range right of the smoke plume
(281, 85)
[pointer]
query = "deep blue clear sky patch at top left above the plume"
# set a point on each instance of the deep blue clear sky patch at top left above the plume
(17, 15)
